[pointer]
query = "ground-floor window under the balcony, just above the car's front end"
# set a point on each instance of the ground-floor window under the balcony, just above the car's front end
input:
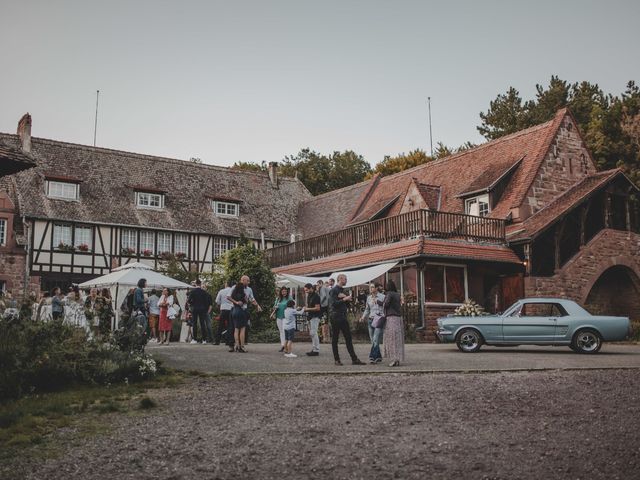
(445, 283)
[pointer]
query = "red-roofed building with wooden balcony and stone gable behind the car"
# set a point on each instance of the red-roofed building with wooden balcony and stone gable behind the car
(524, 215)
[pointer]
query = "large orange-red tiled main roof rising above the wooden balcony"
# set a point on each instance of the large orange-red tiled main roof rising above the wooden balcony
(458, 173)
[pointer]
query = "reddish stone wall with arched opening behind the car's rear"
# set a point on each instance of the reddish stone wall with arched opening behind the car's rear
(577, 277)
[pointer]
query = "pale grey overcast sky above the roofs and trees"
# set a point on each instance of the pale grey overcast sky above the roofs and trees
(229, 81)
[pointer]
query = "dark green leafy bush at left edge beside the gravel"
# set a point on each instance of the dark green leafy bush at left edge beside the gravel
(47, 356)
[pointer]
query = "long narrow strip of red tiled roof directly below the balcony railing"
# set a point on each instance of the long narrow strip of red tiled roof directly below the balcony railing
(404, 249)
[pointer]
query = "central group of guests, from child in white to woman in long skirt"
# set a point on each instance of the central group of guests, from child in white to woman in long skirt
(383, 314)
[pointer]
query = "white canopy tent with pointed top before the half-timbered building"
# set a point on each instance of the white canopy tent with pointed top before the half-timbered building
(121, 279)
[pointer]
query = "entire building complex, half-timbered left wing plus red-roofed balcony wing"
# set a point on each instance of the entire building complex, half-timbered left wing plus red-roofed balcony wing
(525, 215)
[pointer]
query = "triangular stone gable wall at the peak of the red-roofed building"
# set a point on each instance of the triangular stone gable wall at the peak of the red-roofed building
(566, 163)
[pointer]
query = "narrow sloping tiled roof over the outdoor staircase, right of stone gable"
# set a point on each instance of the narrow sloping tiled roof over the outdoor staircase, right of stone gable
(537, 223)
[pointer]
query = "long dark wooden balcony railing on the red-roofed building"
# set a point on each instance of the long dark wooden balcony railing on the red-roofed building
(429, 223)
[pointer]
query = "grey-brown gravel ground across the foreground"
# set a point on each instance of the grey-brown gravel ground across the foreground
(525, 425)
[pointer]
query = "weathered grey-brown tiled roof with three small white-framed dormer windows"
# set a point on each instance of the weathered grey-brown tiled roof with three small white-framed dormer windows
(109, 178)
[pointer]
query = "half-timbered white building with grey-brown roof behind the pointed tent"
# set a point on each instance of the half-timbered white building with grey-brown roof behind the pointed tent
(81, 211)
